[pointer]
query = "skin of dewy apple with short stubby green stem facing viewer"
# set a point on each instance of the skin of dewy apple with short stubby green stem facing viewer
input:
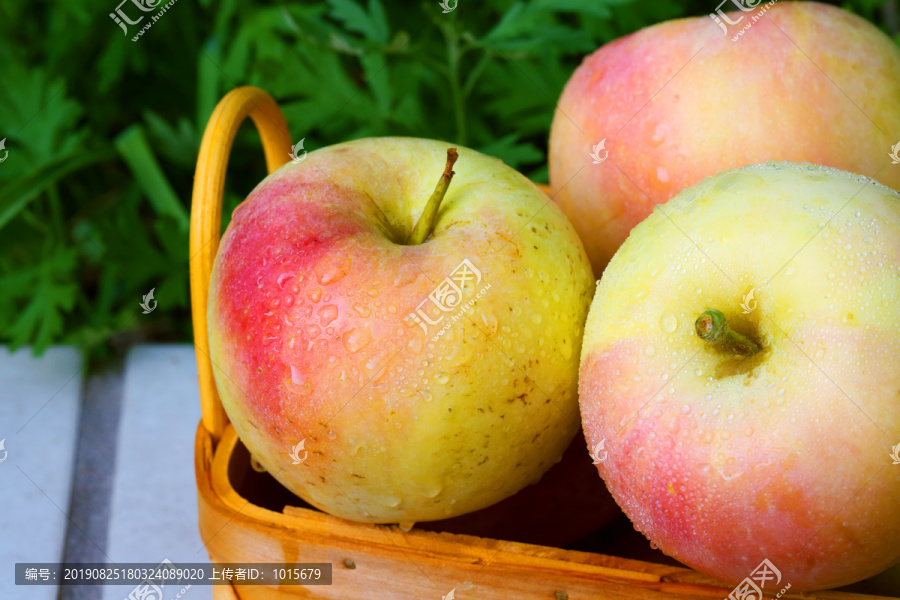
(724, 461)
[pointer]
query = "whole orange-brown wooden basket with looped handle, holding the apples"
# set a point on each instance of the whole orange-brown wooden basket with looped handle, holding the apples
(248, 517)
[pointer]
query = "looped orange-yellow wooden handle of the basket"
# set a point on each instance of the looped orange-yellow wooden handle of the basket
(206, 216)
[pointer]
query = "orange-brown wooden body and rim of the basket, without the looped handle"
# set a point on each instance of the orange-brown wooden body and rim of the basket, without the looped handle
(392, 564)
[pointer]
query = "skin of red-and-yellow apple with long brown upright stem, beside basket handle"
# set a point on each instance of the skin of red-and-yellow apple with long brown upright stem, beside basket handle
(311, 338)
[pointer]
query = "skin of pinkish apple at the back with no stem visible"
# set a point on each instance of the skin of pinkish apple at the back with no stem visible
(670, 120)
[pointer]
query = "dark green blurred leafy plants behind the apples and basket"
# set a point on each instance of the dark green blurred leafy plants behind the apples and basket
(102, 131)
